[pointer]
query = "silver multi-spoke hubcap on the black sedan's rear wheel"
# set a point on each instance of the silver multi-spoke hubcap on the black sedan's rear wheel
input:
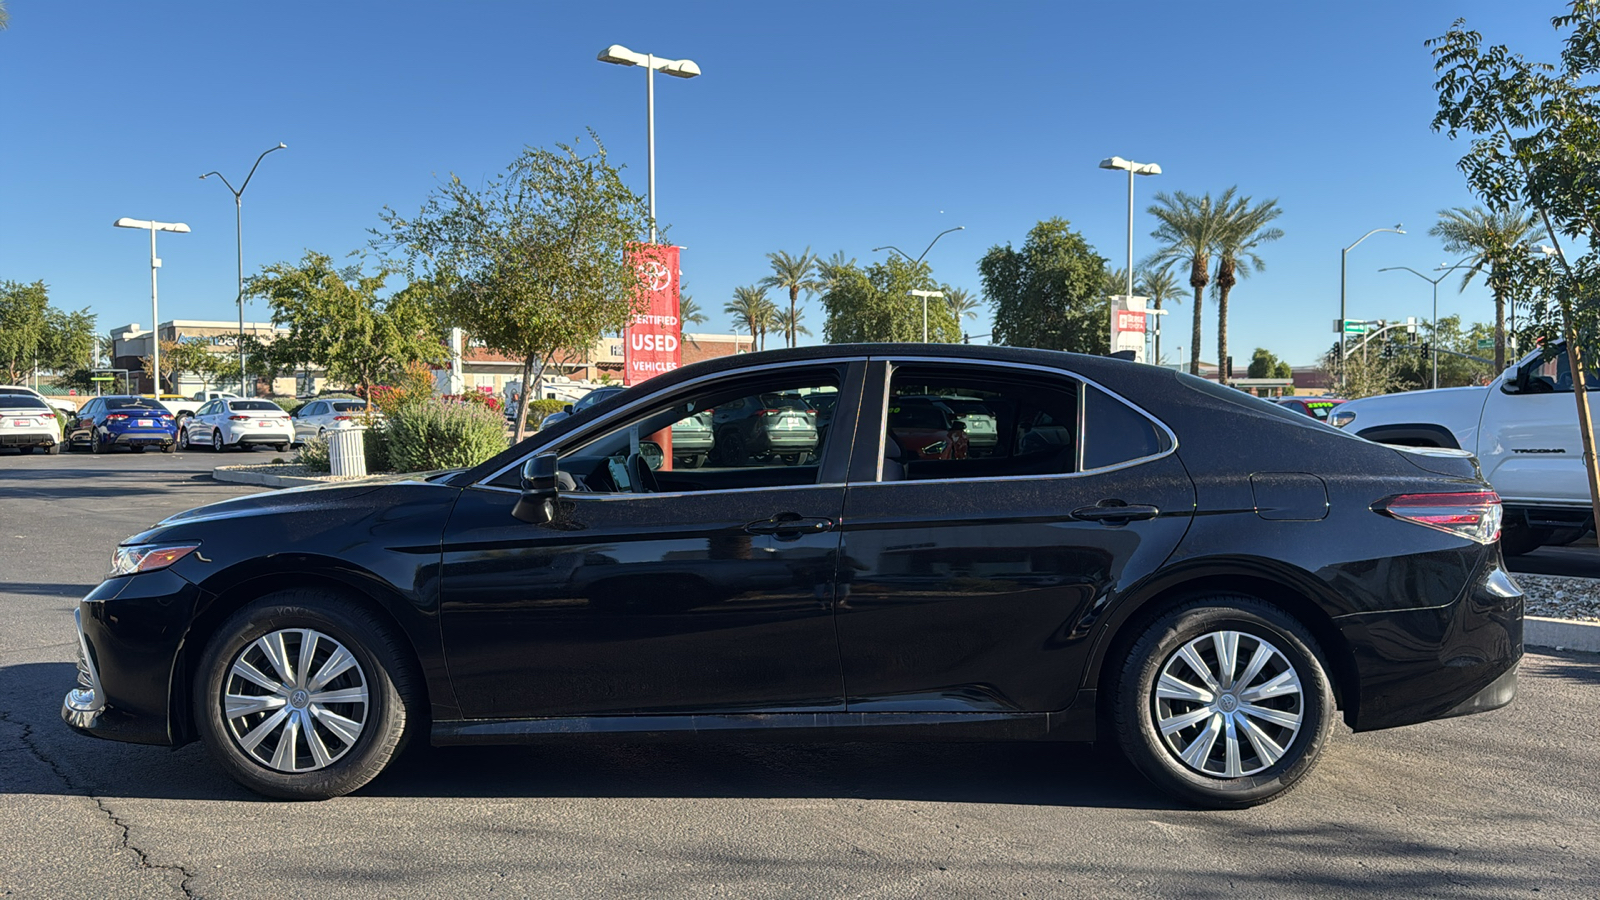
(1228, 704)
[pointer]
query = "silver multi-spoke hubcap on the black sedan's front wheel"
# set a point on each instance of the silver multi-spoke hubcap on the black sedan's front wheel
(295, 701)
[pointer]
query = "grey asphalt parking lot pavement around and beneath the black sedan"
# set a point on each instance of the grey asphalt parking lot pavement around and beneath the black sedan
(1487, 806)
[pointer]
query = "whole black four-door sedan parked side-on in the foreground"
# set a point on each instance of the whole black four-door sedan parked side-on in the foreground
(1194, 574)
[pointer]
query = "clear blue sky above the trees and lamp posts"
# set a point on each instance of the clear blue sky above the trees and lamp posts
(834, 126)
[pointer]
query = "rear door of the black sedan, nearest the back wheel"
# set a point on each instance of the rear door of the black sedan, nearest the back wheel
(974, 585)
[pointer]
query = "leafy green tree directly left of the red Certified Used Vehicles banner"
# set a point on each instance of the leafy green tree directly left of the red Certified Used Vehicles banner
(535, 262)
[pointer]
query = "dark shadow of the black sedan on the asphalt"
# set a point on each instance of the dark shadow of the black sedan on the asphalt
(1033, 774)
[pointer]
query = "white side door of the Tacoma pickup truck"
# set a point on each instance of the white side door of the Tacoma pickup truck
(1529, 440)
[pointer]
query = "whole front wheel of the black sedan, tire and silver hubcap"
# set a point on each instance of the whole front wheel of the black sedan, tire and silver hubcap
(305, 696)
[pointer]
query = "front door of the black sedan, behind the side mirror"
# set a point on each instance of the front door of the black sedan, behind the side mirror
(706, 590)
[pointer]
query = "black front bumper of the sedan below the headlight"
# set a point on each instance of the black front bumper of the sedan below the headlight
(130, 638)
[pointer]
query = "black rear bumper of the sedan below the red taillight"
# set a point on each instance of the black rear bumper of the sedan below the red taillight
(1439, 662)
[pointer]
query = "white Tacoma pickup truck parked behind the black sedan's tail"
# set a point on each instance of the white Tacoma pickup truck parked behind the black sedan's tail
(1524, 430)
